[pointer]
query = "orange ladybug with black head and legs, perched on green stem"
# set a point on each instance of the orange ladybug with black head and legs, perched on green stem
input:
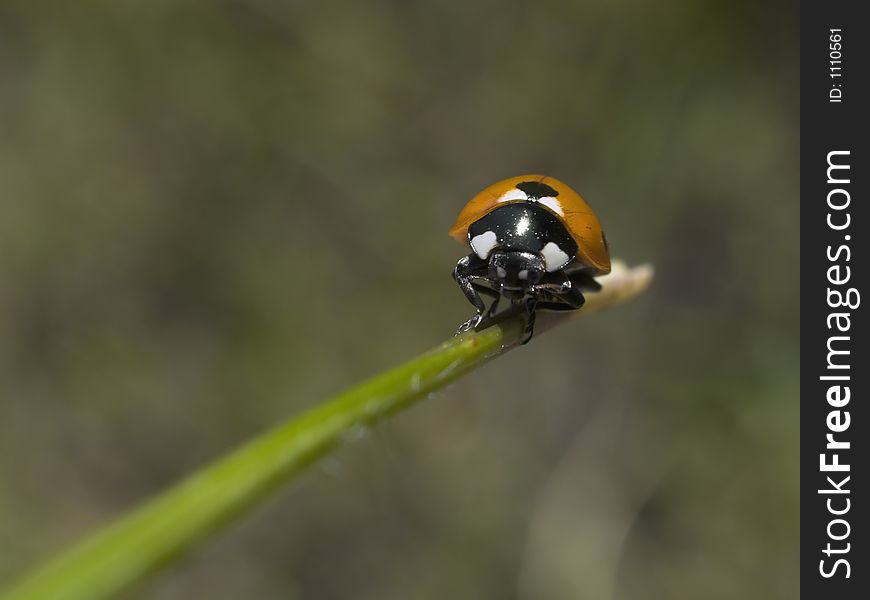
(533, 240)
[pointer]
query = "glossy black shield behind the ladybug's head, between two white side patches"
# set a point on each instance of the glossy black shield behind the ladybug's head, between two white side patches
(524, 226)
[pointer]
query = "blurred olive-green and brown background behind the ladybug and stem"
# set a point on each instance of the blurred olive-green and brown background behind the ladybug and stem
(214, 215)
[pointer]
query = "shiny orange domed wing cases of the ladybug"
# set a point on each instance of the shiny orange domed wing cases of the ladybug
(578, 217)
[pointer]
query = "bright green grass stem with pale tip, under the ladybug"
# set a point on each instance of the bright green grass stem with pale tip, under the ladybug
(140, 542)
